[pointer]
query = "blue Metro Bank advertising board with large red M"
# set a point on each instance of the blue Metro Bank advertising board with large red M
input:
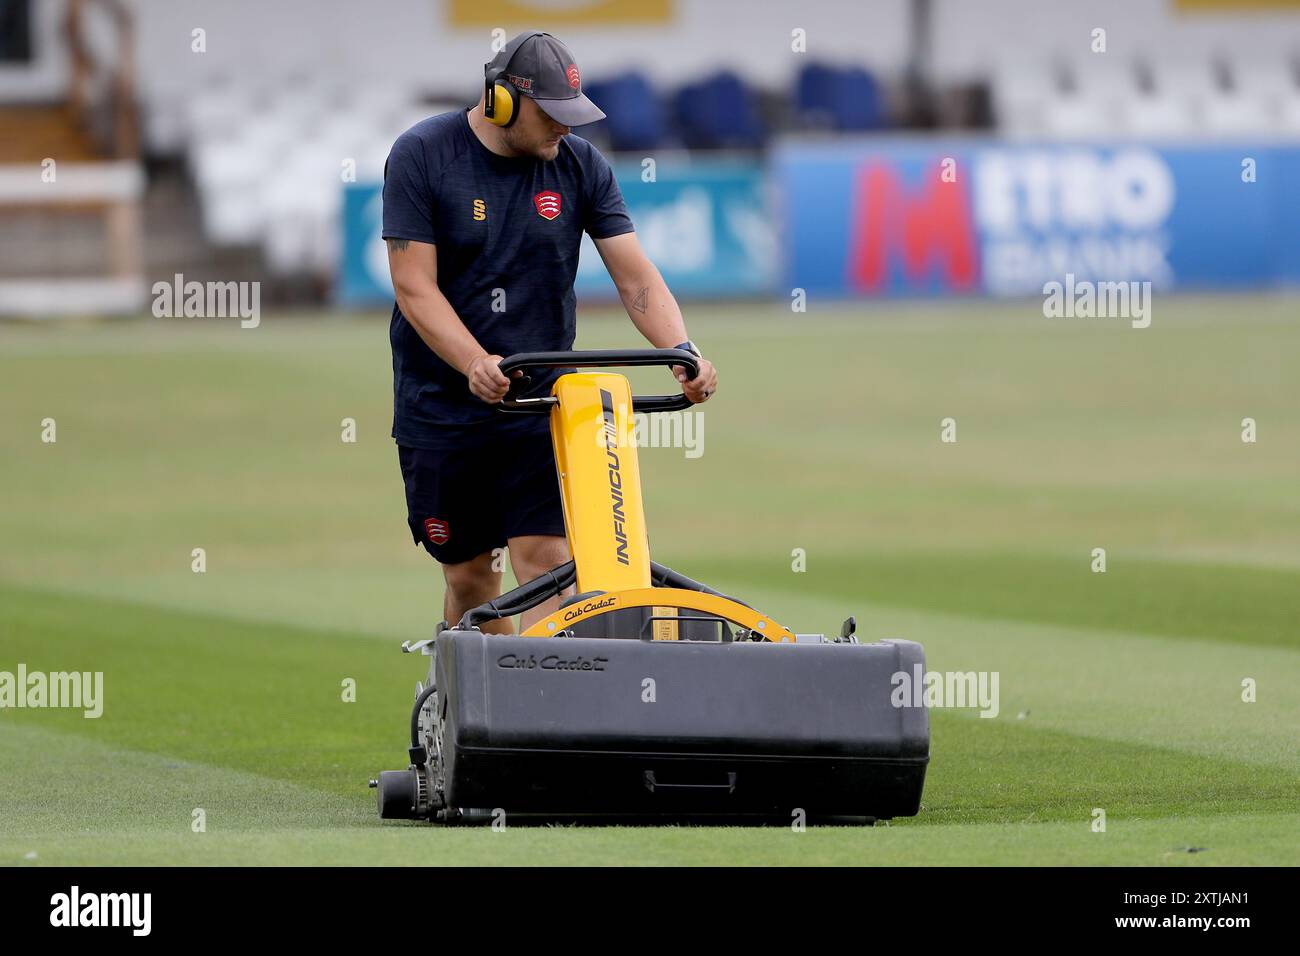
(986, 218)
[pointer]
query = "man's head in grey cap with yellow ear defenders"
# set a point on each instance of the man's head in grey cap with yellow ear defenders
(534, 92)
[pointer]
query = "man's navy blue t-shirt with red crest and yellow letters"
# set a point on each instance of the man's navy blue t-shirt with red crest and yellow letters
(508, 233)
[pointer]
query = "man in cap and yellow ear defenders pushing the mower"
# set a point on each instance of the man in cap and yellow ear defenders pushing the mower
(484, 211)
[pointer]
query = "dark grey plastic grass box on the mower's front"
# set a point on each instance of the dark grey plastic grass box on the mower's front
(600, 726)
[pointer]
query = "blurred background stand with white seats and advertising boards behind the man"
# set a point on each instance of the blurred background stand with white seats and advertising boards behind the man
(246, 141)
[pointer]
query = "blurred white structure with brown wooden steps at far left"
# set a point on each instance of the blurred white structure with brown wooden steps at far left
(71, 176)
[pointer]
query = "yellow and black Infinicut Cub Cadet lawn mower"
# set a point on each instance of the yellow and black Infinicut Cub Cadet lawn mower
(647, 695)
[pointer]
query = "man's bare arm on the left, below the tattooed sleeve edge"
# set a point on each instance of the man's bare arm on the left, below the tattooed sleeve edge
(414, 267)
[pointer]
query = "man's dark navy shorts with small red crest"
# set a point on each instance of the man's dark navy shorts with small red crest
(465, 503)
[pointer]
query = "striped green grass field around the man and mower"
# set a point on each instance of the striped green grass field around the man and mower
(1119, 691)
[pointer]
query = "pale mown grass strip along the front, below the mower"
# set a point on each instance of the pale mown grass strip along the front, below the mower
(94, 806)
